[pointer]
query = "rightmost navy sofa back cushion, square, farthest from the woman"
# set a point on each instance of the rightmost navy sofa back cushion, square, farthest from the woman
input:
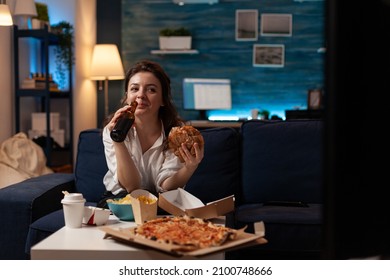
(282, 161)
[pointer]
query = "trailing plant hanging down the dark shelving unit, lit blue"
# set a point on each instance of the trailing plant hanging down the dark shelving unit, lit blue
(63, 50)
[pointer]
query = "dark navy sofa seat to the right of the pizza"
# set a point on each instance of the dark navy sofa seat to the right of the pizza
(291, 232)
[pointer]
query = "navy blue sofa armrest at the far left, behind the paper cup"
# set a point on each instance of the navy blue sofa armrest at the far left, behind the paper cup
(23, 203)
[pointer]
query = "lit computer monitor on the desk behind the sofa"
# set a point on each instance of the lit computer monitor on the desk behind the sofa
(206, 94)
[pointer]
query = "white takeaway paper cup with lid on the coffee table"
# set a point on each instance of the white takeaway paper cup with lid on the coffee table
(73, 205)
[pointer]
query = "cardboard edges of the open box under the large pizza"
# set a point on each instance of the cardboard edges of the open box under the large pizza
(127, 236)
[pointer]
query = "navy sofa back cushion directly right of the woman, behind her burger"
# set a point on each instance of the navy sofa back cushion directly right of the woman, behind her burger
(218, 175)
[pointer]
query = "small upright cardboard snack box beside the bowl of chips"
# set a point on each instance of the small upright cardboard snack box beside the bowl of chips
(143, 211)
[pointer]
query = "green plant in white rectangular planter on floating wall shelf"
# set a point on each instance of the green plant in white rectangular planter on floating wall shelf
(175, 39)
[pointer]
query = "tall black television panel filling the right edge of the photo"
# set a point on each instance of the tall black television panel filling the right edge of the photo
(357, 208)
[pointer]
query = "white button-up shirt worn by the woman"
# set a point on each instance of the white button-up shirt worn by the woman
(154, 166)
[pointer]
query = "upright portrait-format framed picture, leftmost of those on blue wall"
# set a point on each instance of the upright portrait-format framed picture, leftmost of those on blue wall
(246, 25)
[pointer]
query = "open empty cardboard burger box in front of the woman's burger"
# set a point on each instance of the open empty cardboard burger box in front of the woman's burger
(180, 202)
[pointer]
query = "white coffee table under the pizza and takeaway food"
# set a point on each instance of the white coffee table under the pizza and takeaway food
(87, 243)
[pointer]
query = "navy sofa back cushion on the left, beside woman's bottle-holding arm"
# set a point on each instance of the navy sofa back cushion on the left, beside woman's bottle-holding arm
(91, 165)
